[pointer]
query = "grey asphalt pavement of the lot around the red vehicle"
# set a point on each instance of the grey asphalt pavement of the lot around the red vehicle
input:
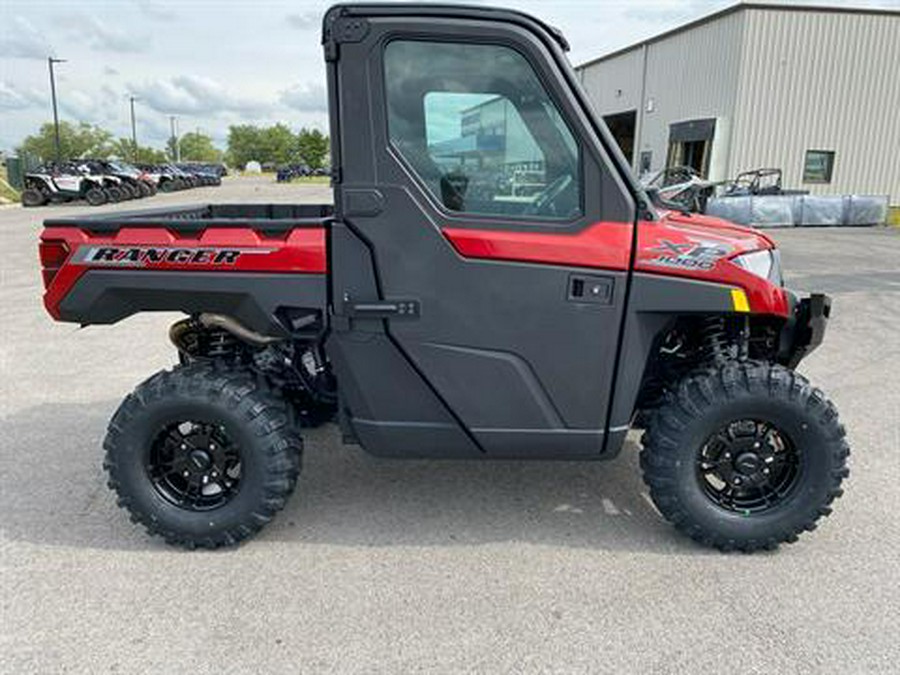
(388, 566)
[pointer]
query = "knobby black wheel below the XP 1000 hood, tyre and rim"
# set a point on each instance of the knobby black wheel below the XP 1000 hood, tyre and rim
(745, 456)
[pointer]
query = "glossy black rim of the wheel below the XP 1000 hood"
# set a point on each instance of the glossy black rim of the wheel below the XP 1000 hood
(748, 466)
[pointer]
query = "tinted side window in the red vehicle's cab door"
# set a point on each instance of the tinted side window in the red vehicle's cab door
(480, 130)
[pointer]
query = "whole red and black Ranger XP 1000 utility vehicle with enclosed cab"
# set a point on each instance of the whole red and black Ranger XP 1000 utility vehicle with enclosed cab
(435, 311)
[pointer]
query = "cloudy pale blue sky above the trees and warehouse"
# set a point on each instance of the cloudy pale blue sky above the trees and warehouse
(213, 63)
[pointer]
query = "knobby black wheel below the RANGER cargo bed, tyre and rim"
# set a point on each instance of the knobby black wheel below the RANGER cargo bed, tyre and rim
(203, 455)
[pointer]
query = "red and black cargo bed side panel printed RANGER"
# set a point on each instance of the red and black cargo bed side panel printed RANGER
(256, 279)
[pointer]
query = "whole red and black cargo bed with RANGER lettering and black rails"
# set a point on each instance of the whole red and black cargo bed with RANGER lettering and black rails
(262, 264)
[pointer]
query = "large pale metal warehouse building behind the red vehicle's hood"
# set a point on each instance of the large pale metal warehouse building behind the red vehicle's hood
(814, 91)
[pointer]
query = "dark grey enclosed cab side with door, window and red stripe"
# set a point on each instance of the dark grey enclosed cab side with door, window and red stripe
(482, 244)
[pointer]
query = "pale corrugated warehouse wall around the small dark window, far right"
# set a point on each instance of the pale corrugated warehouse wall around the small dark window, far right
(821, 81)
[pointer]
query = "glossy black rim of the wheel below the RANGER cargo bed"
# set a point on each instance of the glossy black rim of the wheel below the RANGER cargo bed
(195, 465)
